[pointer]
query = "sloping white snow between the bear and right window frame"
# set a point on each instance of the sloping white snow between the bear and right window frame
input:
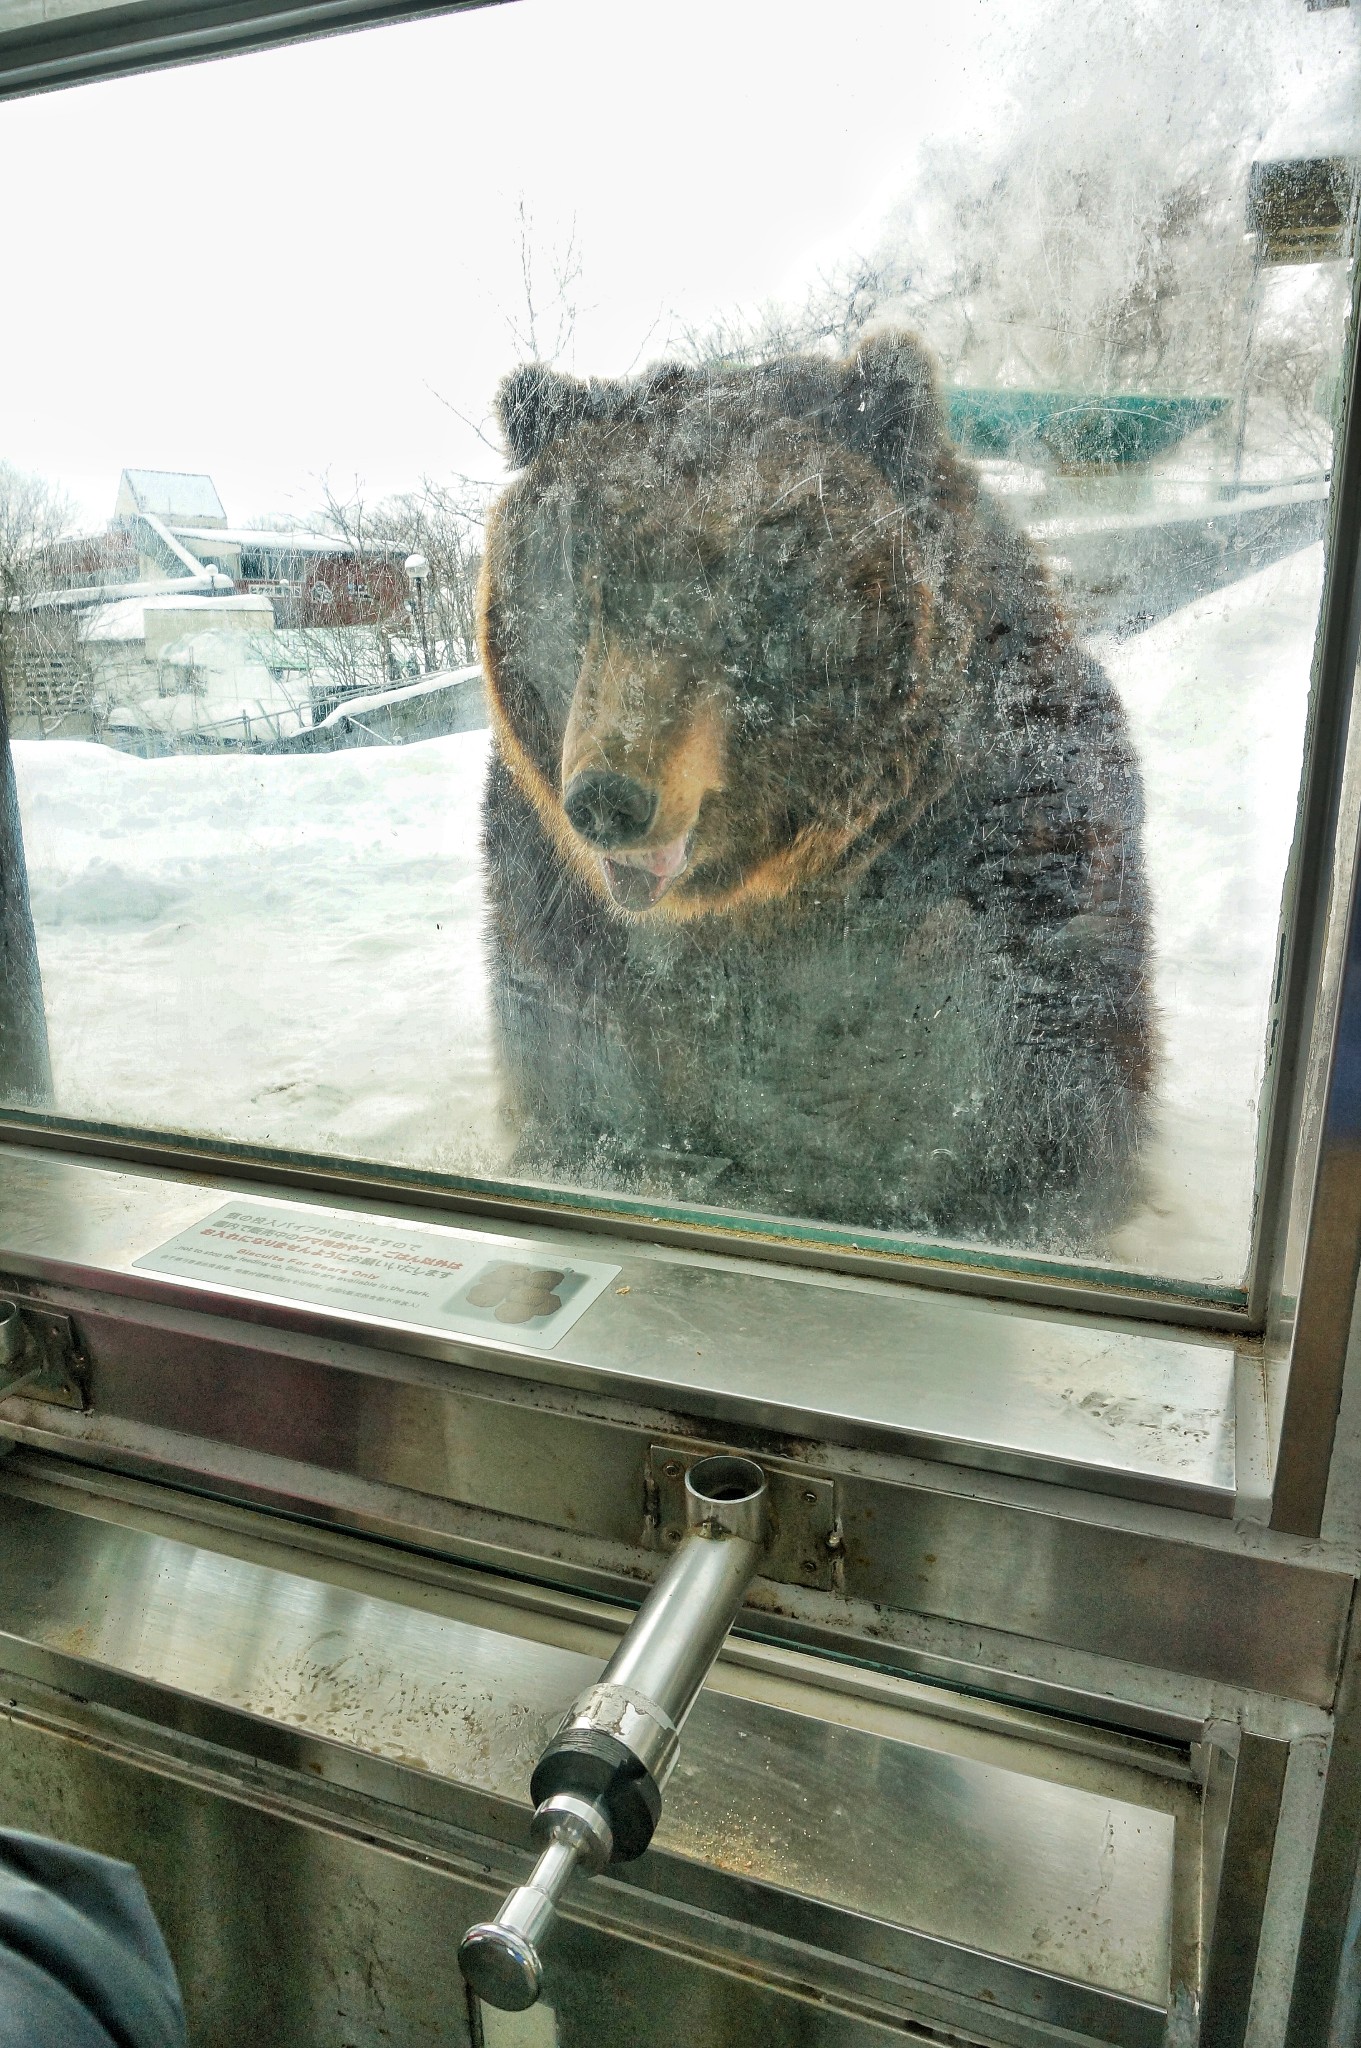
(1217, 699)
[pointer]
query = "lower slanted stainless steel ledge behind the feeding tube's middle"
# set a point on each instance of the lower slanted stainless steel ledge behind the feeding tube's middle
(926, 1867)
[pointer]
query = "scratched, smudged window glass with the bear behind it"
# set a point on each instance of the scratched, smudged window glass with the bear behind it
(676, 605)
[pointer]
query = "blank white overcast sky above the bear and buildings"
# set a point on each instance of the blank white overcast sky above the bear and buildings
(277, 267)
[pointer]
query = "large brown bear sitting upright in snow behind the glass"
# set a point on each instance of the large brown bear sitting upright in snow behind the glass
(814, 837)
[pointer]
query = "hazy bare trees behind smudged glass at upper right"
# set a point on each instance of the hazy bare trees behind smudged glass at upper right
(1082, 245)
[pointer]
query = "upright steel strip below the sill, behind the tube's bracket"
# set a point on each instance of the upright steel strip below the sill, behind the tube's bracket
(543, 1482)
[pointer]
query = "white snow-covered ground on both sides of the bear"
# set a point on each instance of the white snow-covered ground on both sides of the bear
(288, 949)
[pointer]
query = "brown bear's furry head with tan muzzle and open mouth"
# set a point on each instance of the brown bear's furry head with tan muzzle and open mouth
(715, 603)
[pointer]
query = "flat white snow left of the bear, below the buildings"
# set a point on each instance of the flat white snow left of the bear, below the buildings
(271, 949)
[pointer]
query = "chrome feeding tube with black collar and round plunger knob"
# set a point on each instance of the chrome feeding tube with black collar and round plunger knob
(599, 1785)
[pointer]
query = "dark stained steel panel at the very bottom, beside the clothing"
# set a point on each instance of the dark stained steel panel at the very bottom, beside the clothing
(306, 1936)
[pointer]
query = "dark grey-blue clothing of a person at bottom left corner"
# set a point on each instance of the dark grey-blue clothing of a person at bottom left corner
(83, 1963)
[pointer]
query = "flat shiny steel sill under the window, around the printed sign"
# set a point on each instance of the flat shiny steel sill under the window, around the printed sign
(861, 1363)
